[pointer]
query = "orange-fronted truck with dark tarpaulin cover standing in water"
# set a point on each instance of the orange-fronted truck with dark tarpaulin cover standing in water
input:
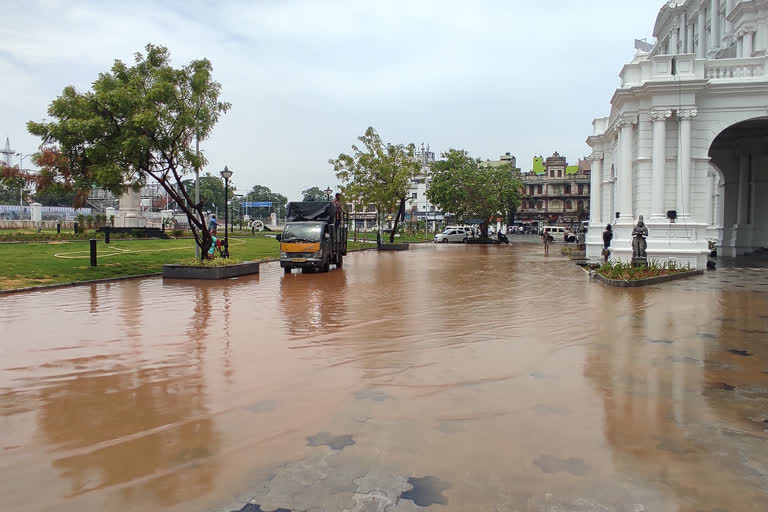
(315, 237)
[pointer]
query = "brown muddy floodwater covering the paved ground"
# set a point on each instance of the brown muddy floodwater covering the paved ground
(451, 378)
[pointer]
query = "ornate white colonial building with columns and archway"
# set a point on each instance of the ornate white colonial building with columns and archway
(687, 135)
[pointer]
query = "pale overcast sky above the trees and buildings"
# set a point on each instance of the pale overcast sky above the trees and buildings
(305, 78)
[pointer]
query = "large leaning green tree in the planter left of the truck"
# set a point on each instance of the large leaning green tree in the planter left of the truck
(137, 123)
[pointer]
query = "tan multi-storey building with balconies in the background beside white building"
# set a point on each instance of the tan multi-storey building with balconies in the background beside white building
(554, 192)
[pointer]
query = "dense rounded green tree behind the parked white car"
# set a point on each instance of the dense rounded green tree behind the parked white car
(463, 186)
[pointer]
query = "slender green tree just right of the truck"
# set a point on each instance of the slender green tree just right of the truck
(378, 174)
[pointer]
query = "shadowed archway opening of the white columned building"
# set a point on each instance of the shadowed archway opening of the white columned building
(740, 154)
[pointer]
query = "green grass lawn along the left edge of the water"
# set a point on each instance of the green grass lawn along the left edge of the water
(37, 264)
